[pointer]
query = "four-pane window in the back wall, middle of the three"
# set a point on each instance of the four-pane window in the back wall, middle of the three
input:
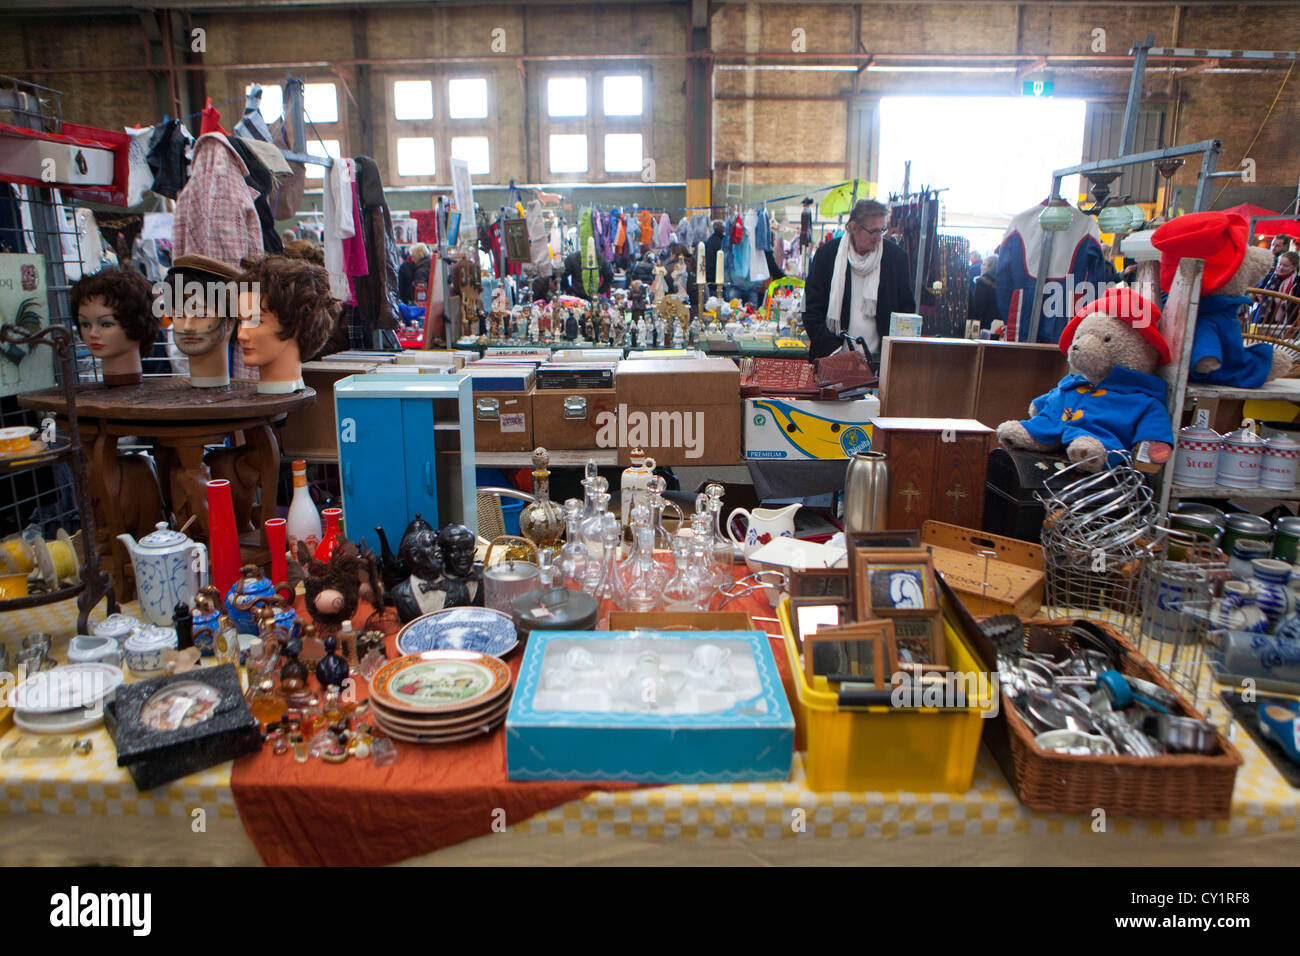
(435, 119)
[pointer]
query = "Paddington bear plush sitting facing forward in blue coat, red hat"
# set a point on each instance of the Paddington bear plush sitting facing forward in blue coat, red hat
(1112, 401)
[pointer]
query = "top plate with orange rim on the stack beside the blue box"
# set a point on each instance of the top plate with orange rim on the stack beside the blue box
(440, 682)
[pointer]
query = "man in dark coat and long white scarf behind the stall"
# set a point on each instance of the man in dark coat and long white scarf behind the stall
(856, 283)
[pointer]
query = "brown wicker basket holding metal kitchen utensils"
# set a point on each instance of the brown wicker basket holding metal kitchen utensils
(1172, 788)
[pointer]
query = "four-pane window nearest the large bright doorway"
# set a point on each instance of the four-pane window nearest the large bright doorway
(595, 126)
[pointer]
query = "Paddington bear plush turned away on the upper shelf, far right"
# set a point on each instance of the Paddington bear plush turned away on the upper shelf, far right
(1232, 266)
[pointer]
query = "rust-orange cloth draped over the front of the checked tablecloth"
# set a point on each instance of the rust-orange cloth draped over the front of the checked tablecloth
(434, 797)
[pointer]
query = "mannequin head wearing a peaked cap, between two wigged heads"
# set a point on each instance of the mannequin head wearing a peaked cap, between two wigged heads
(203, 315)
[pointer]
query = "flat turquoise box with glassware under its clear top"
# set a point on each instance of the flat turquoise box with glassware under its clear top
(618, 723)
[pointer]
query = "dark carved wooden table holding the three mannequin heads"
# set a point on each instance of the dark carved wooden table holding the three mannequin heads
(183, 421)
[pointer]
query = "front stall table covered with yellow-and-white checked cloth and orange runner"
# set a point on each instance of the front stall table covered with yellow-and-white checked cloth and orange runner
(86, 811)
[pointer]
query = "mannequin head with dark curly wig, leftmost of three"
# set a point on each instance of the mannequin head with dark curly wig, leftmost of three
(115, 318)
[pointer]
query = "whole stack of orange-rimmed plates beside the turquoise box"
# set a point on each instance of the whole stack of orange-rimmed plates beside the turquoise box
(441, 697)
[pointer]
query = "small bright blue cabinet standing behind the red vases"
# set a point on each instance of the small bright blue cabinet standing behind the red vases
(389, 466)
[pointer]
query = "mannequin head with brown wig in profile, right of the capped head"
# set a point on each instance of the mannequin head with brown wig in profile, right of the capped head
(287, 314)
